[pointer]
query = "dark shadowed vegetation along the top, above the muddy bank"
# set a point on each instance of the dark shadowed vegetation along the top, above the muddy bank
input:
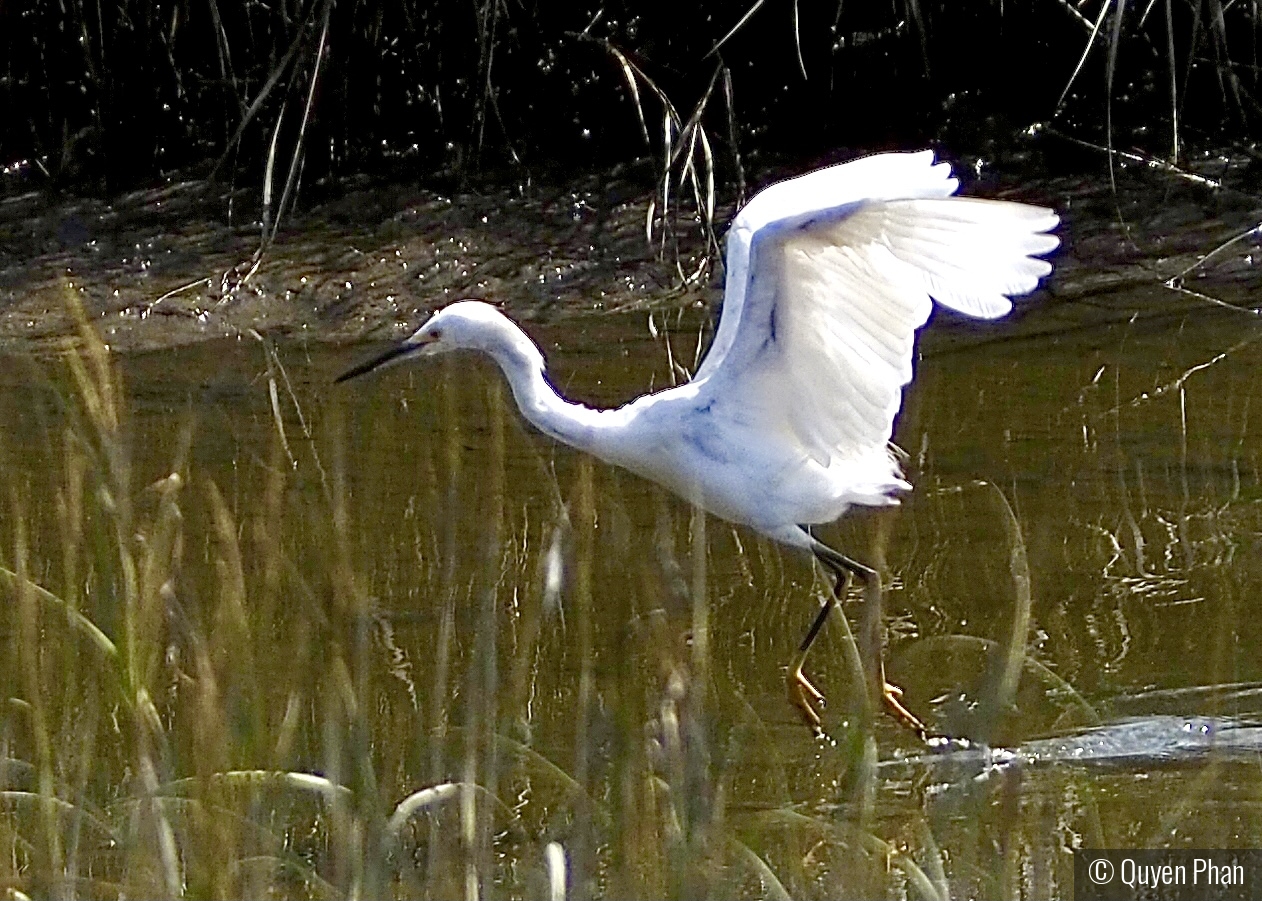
(104, 95)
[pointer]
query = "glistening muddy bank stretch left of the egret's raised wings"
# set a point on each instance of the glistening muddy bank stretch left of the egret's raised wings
(166, 268)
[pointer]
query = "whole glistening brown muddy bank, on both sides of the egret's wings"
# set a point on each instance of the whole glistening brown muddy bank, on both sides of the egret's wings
(166, 268)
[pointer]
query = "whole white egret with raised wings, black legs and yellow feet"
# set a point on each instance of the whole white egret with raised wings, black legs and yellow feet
(788, 421)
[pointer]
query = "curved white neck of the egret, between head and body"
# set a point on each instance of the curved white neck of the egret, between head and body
(523, 365)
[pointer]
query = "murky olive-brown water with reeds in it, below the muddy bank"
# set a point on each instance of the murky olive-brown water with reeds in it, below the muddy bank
(398, 589)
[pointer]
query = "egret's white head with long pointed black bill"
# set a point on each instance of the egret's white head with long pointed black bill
(465, 325)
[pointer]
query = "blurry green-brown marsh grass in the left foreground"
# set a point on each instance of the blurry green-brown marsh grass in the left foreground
(195, 706)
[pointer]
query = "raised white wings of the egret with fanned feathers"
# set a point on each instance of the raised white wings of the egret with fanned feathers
(829, 278)
